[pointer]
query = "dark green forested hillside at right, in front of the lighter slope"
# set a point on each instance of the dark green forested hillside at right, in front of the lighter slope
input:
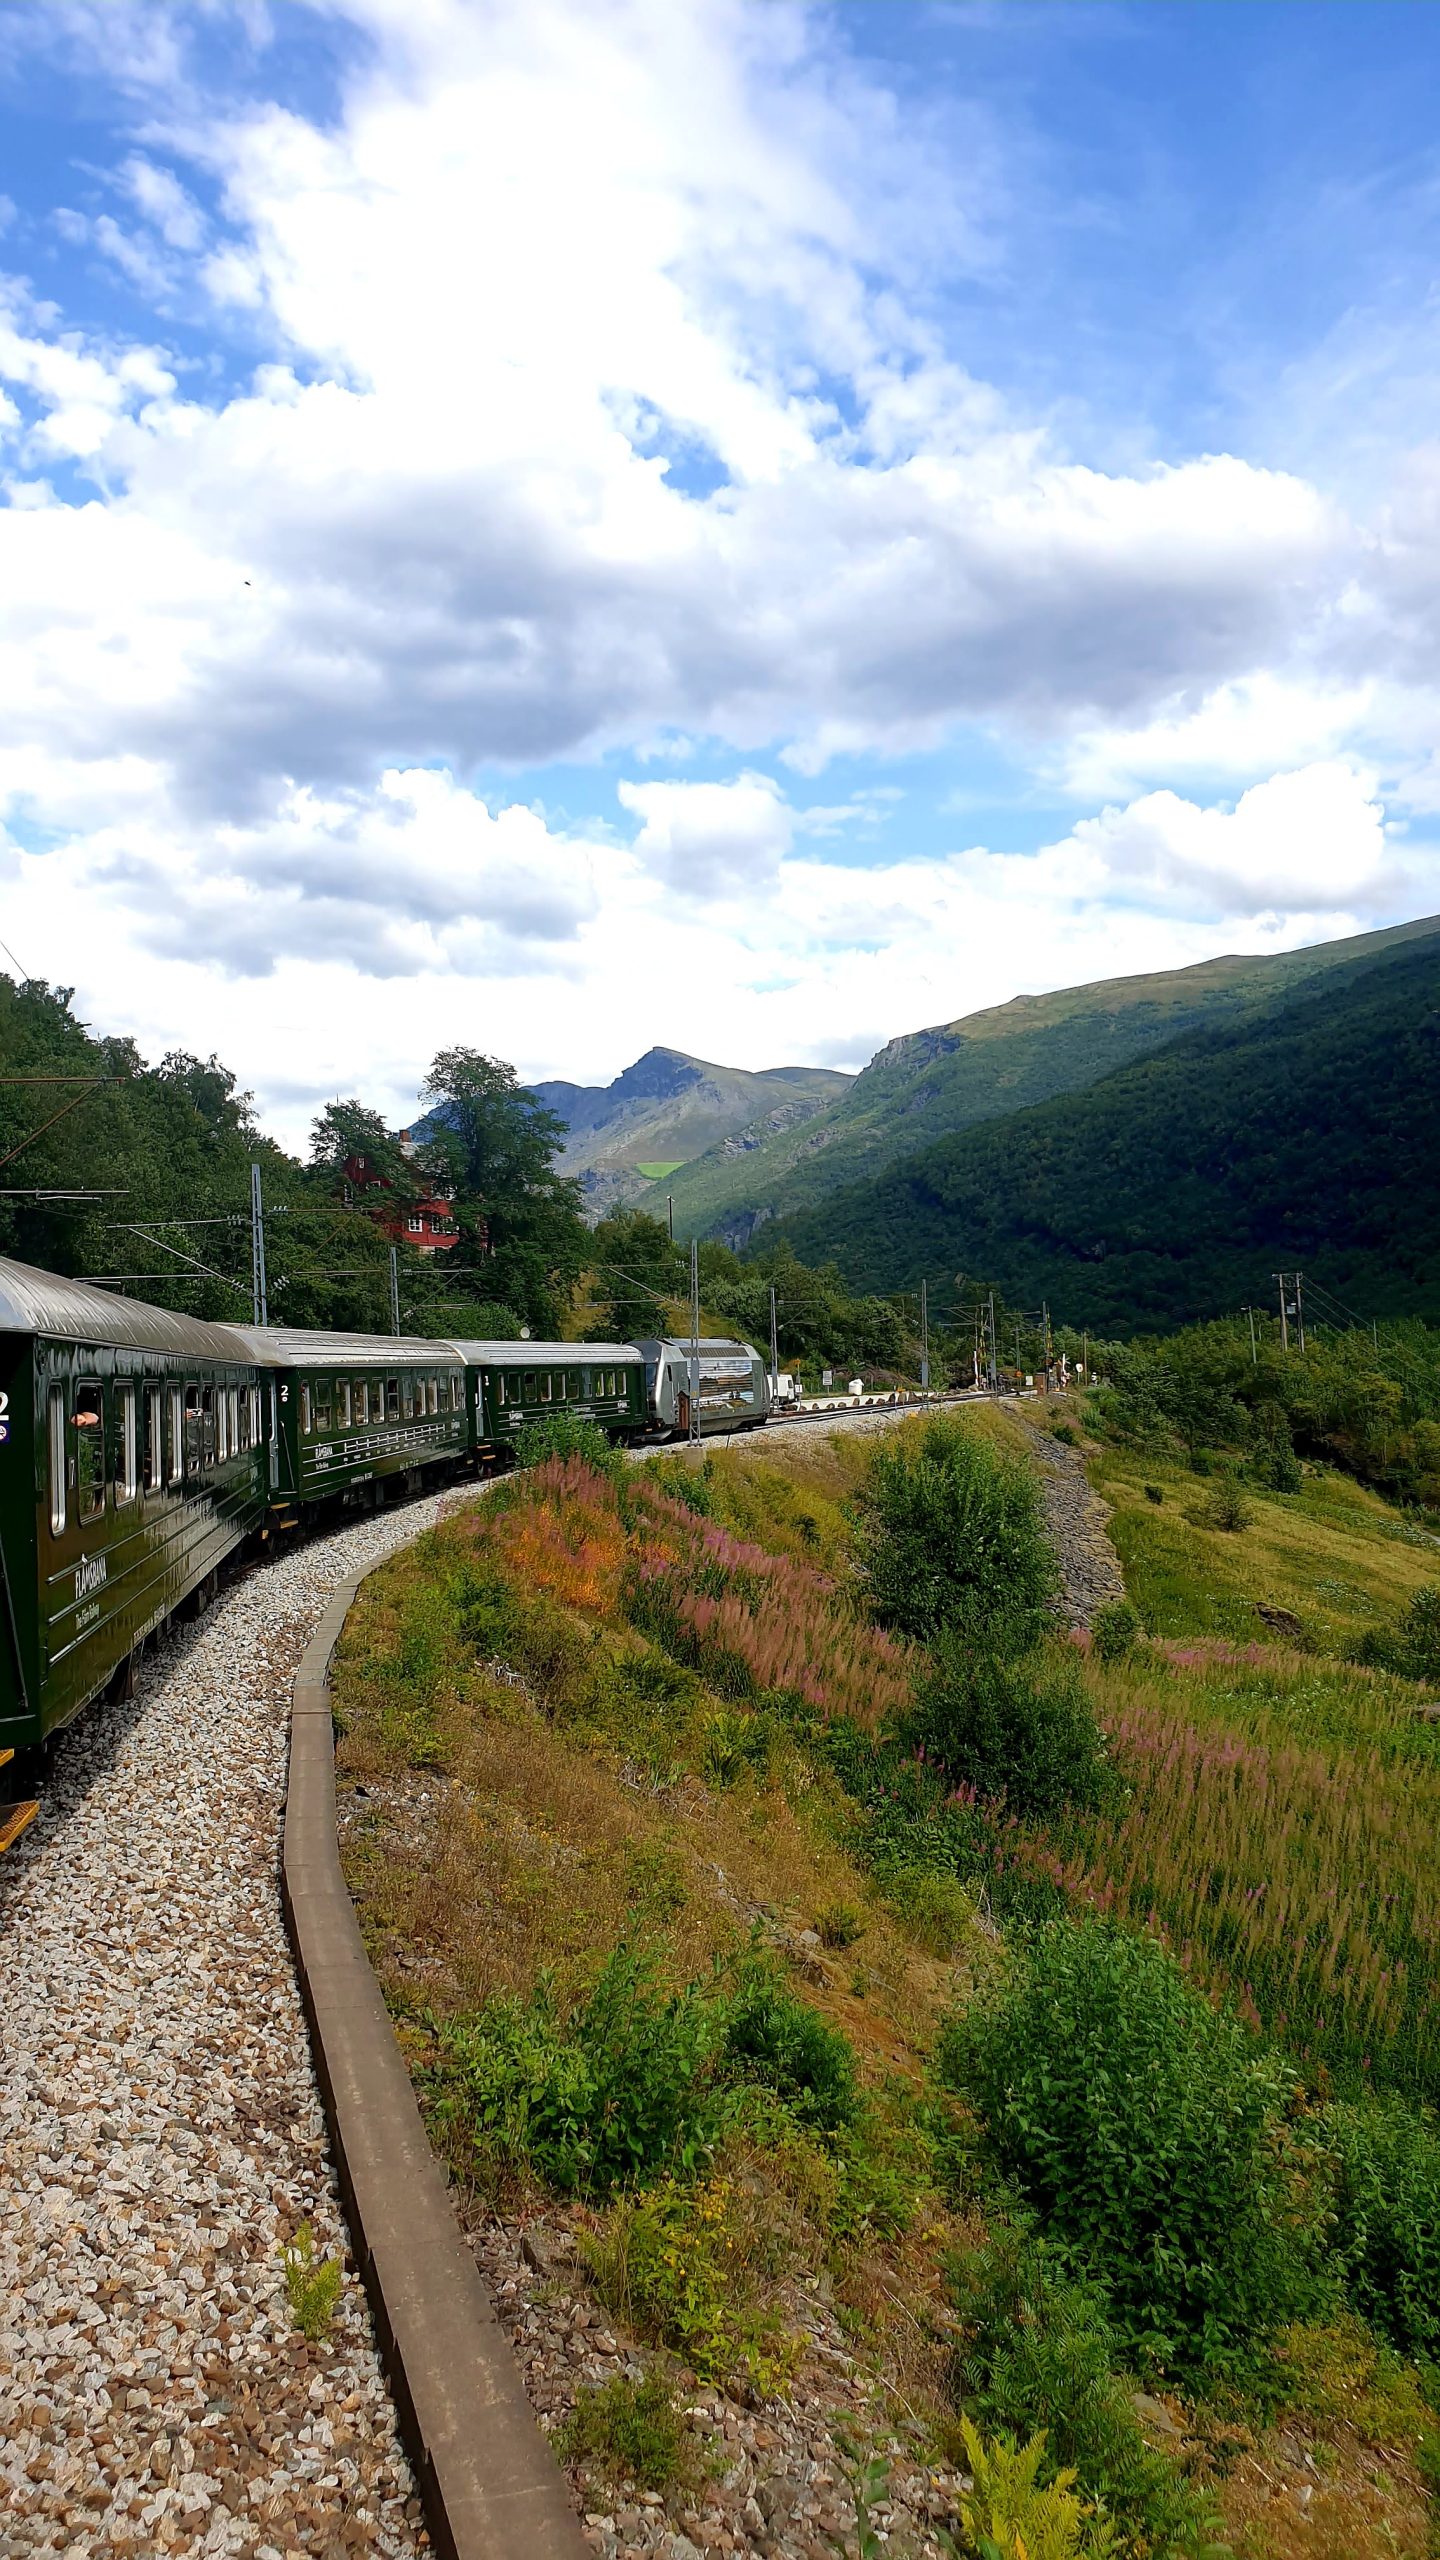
(1303, 1133)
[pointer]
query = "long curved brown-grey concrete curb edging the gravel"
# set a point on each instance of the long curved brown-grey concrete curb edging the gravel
(488, 2479)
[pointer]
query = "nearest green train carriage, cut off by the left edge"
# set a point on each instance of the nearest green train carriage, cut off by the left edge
(132, 1468)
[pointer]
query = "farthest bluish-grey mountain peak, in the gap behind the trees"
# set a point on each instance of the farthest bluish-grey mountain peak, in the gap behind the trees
(667, 1110)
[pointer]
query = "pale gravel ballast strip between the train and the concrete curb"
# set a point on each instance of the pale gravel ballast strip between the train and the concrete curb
(163, 2136)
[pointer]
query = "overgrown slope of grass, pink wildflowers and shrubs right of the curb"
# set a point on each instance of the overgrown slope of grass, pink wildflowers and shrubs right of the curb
(790, 1916)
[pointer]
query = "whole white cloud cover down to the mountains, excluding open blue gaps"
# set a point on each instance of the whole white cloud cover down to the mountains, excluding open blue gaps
(598, 408)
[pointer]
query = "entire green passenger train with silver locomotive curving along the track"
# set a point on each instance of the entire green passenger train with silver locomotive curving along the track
(140, 1450)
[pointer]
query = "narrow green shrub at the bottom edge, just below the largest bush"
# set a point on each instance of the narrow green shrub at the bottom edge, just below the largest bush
(1039, 2354)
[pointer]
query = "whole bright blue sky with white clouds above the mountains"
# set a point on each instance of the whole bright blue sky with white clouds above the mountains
(573, 524)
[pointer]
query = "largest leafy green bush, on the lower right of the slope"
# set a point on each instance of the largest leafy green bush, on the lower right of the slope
(1141, 2124)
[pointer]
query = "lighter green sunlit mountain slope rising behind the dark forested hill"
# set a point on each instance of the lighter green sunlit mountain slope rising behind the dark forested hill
(929, 1084)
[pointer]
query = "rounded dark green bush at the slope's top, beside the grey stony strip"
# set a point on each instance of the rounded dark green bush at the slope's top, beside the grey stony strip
(952, 1537)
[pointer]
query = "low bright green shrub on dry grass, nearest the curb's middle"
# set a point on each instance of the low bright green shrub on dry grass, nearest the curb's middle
(611, 2095)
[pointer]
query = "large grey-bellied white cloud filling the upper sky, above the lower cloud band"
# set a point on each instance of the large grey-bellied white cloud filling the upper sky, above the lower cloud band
(542, 262)
